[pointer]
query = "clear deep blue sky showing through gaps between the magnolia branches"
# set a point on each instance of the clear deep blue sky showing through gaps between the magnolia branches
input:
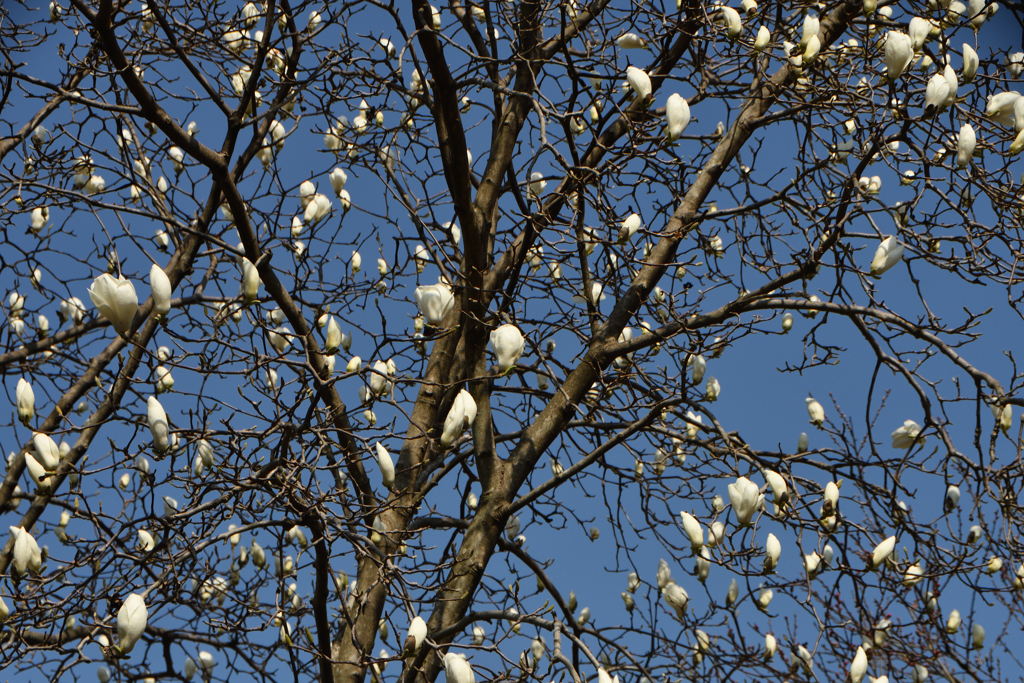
(764, 405)
